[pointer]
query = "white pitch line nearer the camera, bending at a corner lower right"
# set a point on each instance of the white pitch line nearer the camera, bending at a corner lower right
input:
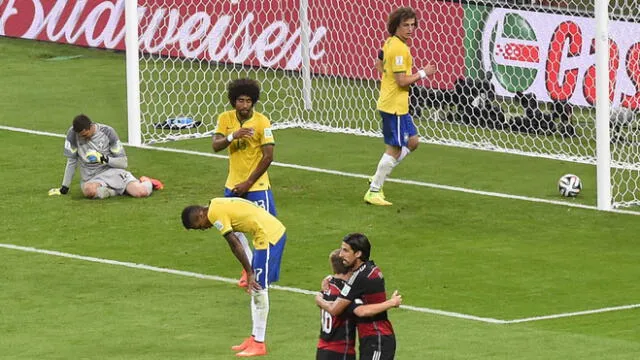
(309, 292)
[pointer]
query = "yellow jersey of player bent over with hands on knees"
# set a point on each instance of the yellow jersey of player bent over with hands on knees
(237, 214)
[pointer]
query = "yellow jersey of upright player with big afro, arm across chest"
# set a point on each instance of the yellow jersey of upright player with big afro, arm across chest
(245, 154)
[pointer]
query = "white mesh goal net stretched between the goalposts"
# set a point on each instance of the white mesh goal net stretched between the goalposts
(513, 76)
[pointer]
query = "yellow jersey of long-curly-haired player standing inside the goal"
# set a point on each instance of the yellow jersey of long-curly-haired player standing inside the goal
(396, 59)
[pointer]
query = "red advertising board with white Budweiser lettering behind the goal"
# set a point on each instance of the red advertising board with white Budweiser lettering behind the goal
(344, 35)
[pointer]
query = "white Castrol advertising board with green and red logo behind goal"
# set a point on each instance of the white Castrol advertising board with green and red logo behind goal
(553, 56)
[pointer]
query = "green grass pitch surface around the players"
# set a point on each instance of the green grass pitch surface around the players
(458, 252)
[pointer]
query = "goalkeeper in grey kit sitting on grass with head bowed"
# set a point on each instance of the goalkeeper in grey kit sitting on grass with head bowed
(103, 162)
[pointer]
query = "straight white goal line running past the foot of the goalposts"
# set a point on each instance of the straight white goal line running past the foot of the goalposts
(362, 176)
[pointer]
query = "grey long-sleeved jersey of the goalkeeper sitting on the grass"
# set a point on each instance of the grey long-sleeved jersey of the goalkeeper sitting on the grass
(105, 141)
